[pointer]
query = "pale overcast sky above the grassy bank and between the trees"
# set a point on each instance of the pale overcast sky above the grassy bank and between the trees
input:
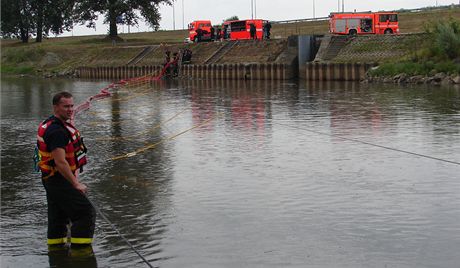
(218, 10)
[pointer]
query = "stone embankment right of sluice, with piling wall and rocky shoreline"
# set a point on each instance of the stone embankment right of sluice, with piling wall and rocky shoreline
(352, 58)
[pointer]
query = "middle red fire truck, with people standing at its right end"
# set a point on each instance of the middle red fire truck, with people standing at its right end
(240, 29)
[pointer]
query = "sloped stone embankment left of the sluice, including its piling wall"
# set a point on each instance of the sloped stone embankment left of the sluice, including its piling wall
(245, 59)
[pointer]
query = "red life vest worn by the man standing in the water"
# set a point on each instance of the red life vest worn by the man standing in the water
(75, 150)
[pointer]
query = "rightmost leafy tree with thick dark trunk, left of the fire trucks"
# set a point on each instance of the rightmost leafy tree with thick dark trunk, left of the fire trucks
(119, 11)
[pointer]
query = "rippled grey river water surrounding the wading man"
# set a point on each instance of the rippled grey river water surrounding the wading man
(246, 174)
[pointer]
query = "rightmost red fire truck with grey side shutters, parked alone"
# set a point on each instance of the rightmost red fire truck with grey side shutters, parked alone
(364, 23)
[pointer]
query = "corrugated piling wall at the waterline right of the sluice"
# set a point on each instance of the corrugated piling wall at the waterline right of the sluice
(336, 71)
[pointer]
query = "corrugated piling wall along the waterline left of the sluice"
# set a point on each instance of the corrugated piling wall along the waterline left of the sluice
(264, 71)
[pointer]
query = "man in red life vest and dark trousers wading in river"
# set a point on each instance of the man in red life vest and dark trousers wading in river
(62, 156)
